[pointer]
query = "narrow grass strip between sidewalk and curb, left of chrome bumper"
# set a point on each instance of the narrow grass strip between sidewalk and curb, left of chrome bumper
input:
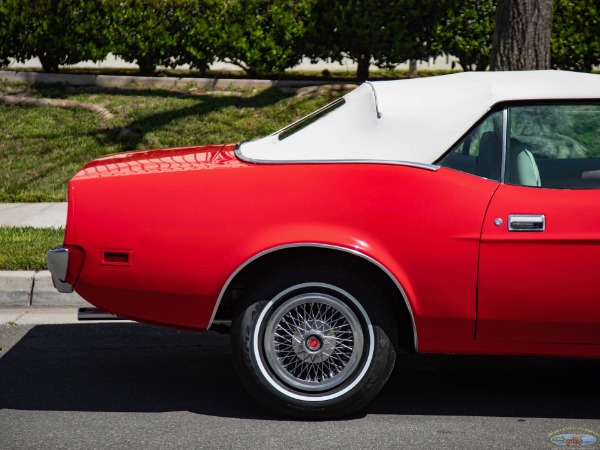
(24, 248)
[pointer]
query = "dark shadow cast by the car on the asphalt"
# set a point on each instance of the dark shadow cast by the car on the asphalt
(137, 368)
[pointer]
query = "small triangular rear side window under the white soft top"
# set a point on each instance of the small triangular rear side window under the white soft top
(480, 152)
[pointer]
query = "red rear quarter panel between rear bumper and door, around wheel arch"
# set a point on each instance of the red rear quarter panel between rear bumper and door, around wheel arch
(188, 231)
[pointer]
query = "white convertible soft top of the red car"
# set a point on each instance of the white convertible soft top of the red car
(419, 118)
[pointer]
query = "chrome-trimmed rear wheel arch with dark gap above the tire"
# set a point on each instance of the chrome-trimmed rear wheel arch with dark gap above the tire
(270, 260)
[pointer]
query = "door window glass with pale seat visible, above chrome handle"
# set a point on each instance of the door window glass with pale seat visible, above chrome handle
(554, 146)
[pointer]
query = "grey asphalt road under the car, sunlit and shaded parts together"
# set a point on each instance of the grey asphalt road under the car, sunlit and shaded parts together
(125, 385)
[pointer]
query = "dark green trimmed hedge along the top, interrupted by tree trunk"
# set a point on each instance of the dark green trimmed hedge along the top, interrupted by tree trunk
(268, 36)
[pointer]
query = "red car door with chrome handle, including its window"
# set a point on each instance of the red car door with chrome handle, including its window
(539, 267)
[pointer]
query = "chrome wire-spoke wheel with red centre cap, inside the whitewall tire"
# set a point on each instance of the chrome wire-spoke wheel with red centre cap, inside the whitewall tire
(313, 342)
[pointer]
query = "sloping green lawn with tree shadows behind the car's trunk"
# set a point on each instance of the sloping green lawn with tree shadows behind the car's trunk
(42, 147)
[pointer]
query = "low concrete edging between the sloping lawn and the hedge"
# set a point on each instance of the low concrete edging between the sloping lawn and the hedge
(154, 82)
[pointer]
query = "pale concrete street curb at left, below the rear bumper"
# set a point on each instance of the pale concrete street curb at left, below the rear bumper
(29, 289)
